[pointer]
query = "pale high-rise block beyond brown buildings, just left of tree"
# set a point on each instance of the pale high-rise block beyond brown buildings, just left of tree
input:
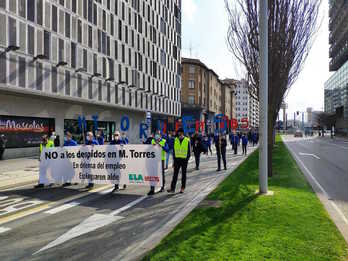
(247, 104)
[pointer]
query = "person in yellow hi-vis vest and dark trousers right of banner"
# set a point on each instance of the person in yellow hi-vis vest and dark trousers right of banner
(182, 155)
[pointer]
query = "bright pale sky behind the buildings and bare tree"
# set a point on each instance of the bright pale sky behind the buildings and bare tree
(204, 27)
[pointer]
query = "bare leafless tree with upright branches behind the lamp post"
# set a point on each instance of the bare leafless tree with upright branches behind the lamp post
(292, 25)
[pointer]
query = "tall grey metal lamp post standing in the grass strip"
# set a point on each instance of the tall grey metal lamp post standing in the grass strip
(263, 46)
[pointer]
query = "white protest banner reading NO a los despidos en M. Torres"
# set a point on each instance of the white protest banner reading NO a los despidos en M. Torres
(110, 164)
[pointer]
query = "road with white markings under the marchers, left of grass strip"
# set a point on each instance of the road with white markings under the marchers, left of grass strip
(74, 224)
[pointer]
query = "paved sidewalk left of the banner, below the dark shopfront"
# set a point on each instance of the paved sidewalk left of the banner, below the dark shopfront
(16, 172)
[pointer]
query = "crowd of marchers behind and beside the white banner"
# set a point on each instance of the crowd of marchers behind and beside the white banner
(176, 145)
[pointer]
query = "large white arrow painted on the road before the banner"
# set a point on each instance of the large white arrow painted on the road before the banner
(90, 224)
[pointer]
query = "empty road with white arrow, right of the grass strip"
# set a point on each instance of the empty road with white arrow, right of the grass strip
(325, 163)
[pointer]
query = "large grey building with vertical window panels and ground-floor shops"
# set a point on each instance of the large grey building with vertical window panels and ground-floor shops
(98, 60)
